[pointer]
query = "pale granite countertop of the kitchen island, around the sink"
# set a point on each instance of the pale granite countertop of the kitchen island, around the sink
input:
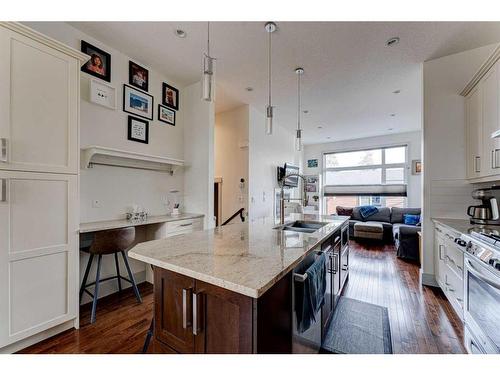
(246, 258)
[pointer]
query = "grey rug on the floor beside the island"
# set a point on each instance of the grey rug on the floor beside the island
(358, 328)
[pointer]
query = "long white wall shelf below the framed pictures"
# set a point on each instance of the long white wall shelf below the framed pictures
(97, 155)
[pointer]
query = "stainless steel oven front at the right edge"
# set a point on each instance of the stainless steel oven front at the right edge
(482, 305)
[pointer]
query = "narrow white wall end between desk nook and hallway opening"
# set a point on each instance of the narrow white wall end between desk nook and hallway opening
(199, 124)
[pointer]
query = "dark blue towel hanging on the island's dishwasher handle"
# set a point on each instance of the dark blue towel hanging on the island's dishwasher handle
(311, 294)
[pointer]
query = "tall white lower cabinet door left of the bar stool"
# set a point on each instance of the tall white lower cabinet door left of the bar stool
(38, 248)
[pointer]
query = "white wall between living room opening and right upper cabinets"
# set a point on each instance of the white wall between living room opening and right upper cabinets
(446, 192)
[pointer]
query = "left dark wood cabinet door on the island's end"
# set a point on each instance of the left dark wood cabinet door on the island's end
(173, 310)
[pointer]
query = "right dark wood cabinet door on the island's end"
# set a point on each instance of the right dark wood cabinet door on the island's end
(222, 320)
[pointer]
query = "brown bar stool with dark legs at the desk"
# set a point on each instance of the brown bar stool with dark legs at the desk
(106, 243)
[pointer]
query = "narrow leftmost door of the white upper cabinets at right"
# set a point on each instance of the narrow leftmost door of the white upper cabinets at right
(474, 133)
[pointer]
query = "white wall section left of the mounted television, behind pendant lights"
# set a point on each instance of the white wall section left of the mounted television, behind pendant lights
(265, 154)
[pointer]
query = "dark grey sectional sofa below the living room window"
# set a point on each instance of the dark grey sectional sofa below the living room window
(393, 229)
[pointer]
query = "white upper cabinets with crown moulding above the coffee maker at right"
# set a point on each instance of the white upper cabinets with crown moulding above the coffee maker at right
(482, 106)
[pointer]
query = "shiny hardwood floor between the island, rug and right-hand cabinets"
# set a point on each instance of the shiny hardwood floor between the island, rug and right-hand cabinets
(421, 318)
